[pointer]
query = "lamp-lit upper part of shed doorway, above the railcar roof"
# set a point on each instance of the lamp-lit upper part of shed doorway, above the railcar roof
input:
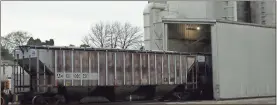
(189, 38)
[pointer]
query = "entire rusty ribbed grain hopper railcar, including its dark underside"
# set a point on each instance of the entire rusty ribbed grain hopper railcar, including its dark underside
(113, 74)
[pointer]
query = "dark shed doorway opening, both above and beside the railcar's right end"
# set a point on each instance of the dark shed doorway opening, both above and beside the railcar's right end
(194, 38)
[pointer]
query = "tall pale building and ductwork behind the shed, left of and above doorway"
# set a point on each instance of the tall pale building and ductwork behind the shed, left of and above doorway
(259, 12)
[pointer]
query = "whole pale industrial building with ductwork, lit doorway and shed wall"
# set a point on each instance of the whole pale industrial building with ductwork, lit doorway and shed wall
(240, 35)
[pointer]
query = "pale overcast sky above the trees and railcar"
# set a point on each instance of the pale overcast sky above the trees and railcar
(66, 21)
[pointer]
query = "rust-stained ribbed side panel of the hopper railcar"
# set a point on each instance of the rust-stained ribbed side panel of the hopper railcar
(111, 68)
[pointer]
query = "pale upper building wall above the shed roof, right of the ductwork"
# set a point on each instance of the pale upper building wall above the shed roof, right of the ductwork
(261, 12)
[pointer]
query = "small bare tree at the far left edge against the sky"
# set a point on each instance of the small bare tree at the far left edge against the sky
(13, 39)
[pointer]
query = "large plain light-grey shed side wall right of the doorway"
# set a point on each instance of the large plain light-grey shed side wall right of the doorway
(244, 60)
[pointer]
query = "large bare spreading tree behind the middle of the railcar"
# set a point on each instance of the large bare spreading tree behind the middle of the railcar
(114, 35)
